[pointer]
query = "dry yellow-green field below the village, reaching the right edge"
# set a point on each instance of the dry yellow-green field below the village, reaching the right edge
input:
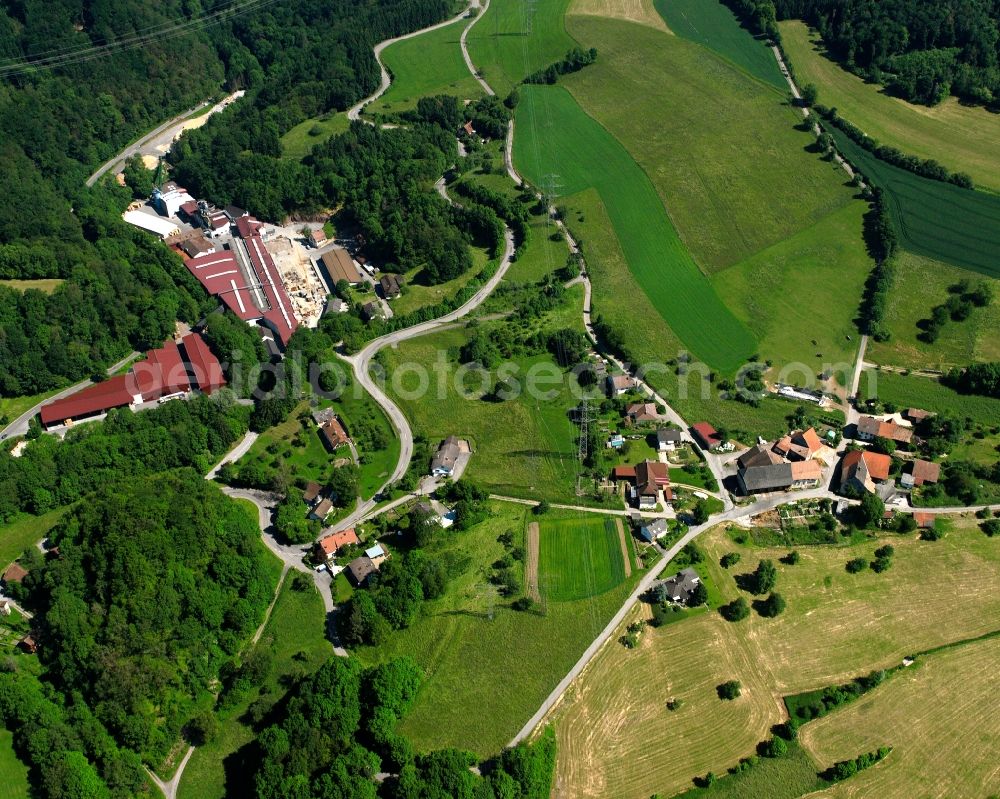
(839, 625)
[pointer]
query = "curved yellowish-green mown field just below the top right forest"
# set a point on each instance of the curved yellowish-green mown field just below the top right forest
(963, 138)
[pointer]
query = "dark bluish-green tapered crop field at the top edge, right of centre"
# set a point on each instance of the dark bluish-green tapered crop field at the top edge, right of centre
(714, 26)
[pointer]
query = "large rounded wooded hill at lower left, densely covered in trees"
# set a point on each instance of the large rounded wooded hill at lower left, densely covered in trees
(157, 582)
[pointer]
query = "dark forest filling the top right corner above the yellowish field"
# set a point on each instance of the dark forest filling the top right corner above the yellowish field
(921, 50)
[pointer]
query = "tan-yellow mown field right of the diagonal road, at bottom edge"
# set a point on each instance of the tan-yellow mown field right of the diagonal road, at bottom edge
(616, 736)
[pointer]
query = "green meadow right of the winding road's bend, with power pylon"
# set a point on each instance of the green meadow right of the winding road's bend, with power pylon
(524, 447)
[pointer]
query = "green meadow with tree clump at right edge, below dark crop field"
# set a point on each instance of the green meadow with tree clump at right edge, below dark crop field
(921, 284)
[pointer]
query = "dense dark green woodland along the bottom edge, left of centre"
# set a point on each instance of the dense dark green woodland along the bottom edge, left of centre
(337, 733)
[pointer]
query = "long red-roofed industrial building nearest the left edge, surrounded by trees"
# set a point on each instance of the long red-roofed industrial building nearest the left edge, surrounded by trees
(166, 371)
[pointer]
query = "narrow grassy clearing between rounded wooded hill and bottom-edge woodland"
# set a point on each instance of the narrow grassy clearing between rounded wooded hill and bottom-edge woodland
(294, 645)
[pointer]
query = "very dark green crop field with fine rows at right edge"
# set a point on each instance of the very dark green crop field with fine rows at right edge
(934, 219)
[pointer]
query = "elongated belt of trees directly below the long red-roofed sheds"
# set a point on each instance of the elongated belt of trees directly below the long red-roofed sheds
(51, 473)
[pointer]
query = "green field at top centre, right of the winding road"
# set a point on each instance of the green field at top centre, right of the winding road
(517, 37)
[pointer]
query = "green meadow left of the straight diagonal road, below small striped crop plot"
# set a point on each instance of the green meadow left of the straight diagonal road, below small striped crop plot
(489, 667)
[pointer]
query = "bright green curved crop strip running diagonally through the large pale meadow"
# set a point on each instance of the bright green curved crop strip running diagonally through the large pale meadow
(556, 138)
